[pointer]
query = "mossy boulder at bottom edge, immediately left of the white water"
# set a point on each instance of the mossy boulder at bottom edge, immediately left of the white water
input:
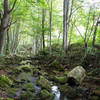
(45, 95)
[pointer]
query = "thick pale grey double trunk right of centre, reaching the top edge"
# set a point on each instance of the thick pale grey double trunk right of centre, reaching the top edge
(65, 24)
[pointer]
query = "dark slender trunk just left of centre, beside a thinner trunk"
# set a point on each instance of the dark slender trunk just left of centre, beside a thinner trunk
(43, 21)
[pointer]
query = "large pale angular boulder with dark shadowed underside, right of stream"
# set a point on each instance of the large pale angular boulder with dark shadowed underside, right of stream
(76, 76)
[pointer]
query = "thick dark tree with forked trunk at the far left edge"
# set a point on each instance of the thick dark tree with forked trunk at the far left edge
(5, 21)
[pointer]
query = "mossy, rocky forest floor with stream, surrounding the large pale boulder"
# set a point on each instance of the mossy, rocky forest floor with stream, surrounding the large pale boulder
(33, 78)
